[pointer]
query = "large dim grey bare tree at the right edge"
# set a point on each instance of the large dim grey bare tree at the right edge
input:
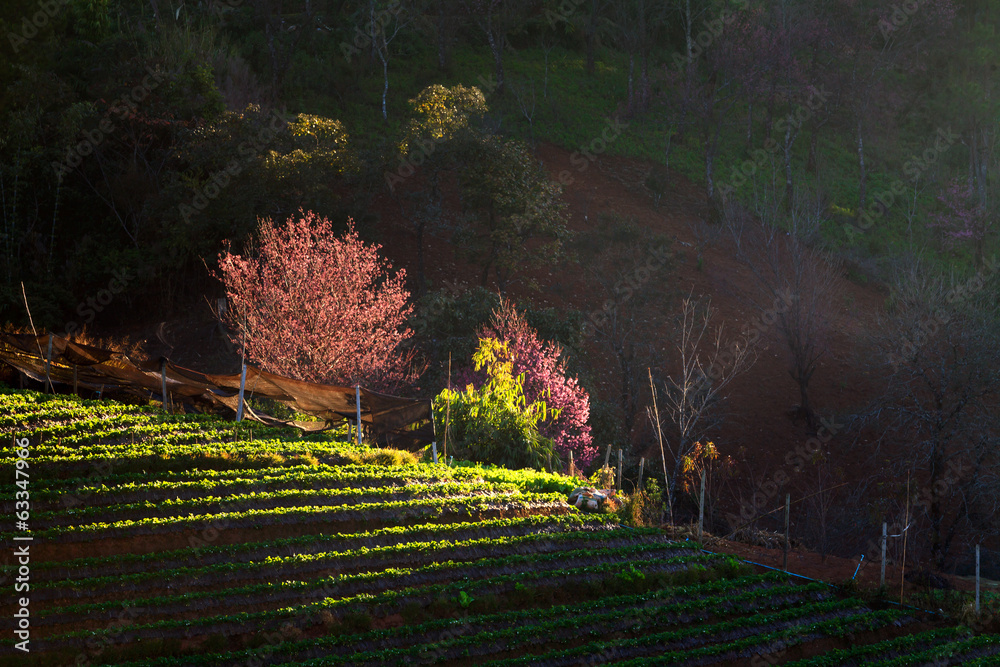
(938, 352)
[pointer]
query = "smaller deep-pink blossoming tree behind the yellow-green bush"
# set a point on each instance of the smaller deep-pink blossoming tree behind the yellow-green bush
(545, 379)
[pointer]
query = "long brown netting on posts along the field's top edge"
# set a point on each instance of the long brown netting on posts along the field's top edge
(402, 422)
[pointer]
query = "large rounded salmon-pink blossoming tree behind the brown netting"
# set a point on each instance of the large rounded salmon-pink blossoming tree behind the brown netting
(317, 307)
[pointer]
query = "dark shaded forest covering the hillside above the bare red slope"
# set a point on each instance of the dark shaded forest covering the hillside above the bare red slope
(136, 136)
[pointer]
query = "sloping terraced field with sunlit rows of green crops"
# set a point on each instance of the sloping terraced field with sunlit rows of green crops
(160, 540)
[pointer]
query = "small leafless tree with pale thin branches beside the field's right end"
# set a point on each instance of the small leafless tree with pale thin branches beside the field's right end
(706, 362)
